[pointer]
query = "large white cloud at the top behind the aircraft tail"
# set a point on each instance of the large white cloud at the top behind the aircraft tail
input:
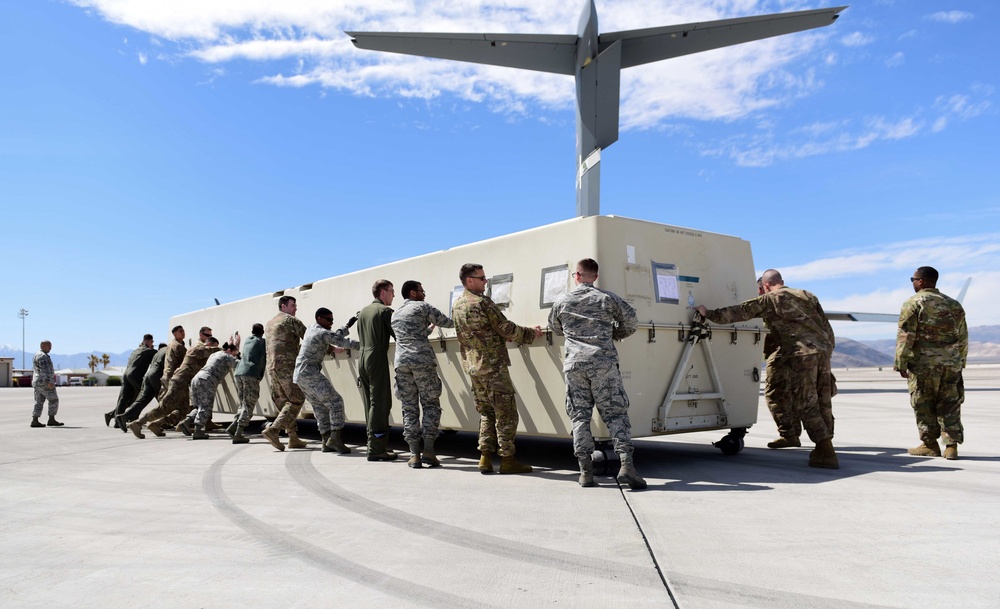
(723, 84)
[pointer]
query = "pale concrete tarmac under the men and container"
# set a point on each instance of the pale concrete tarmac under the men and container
(95, 518)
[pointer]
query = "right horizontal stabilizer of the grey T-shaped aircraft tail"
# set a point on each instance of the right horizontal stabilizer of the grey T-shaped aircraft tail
(655, 44)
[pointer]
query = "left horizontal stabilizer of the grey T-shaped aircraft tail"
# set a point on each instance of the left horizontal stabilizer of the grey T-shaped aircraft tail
(539, 52)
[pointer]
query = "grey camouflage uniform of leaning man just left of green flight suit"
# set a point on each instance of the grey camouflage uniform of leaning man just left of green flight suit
(327, 404)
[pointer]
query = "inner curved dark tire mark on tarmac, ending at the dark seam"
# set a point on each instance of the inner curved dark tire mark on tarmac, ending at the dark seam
(301, 468)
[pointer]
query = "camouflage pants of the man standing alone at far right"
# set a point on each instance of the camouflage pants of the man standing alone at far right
(936, 395)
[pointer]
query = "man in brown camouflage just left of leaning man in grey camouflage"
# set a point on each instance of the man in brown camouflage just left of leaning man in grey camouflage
(282, 335)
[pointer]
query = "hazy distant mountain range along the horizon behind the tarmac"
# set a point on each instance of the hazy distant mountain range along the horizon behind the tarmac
(984, 347)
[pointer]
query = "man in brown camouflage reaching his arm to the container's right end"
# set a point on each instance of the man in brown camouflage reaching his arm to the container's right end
(806, 339)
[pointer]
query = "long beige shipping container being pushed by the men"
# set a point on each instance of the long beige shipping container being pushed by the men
(663, 271)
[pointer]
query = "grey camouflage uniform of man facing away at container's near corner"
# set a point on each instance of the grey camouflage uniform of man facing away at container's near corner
(591, 319)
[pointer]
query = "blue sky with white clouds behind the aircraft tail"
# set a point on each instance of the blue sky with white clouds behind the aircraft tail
(154, 156)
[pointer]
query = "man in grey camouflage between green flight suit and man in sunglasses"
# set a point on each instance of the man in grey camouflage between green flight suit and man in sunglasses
(417, 380)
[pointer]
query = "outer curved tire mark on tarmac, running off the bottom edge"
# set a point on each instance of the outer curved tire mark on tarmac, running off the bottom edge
(321, 558)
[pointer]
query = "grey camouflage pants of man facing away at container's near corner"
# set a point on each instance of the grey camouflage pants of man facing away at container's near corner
(599, 386)
